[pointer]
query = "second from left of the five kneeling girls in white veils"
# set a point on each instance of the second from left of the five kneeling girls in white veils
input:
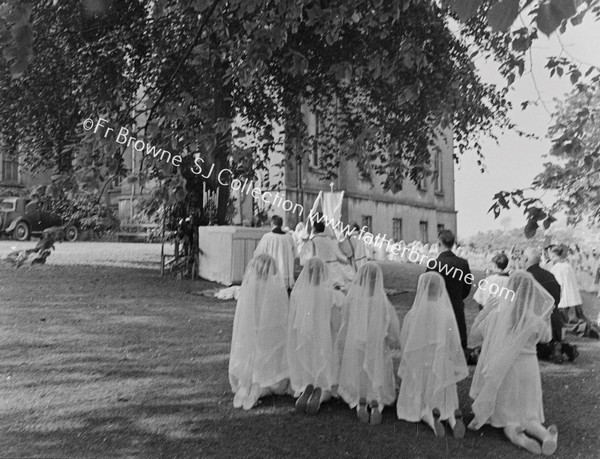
(313, 322)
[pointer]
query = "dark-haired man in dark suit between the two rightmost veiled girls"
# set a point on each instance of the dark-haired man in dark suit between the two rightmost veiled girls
(458, 278)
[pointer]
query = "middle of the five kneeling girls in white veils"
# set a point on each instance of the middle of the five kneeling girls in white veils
(366, 371)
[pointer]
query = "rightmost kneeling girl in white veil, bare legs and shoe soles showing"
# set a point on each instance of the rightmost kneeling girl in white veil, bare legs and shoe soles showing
(506, 385)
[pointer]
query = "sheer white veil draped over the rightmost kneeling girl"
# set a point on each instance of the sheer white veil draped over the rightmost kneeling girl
(518, 322)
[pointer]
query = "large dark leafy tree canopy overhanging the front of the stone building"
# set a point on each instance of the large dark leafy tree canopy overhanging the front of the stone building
(201, 64)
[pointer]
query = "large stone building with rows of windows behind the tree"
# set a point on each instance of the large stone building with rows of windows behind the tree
(415, 213)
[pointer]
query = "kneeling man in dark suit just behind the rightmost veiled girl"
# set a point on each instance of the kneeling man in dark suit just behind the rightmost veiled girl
(555, 349)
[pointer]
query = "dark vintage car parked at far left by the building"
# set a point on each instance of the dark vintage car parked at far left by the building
(23, 218)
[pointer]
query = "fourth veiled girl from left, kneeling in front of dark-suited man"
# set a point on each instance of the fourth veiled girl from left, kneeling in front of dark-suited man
(432, 360)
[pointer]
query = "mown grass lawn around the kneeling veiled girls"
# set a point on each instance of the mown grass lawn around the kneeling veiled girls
(116, 362)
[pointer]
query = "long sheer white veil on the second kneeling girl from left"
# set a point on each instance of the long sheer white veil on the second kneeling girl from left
(310, 345)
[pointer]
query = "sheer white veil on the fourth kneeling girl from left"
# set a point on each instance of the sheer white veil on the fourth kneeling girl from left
(432, 354)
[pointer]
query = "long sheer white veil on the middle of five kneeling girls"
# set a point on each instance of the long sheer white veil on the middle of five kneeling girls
(365, 322)
